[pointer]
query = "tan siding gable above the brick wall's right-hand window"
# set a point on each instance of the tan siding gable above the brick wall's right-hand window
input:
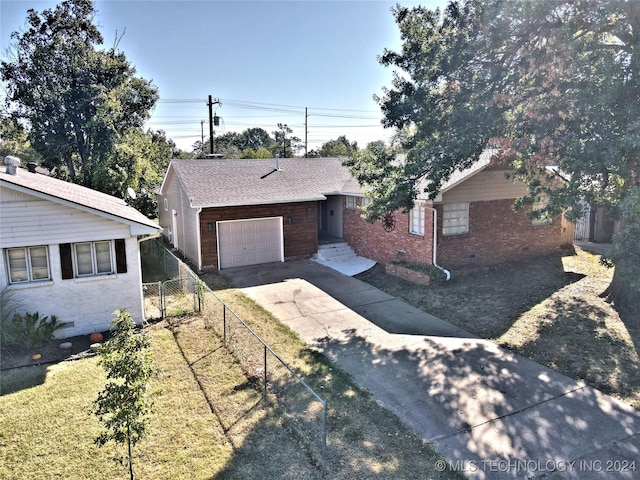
(484, 186)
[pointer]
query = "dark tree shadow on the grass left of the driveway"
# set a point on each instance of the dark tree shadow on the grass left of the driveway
(357, 447)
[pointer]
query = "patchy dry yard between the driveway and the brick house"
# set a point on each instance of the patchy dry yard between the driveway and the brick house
(549, 310)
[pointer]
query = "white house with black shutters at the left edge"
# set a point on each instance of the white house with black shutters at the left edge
(70, 251)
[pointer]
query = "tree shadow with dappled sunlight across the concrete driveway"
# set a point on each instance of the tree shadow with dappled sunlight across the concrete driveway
(477, 402)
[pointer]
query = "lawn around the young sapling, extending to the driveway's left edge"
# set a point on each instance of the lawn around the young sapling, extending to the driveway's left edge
(210, 421)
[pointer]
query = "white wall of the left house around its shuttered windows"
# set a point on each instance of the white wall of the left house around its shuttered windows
(87, 303)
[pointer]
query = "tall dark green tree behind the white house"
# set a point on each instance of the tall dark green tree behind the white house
(78, 101)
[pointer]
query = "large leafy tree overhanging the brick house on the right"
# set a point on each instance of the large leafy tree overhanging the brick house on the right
(545, 83)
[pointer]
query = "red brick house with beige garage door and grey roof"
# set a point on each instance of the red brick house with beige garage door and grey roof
(223, 213)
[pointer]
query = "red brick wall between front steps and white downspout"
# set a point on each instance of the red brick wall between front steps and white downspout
(372, 241)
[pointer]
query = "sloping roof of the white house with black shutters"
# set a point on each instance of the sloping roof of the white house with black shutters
(43, 186)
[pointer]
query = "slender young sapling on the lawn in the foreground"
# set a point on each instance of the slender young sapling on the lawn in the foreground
(123, 406)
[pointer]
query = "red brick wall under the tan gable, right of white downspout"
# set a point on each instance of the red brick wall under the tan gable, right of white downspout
(496, 235)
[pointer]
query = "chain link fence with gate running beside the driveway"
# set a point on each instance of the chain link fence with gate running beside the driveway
(304, 412)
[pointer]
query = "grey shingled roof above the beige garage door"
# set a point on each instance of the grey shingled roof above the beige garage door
(232, 182)
